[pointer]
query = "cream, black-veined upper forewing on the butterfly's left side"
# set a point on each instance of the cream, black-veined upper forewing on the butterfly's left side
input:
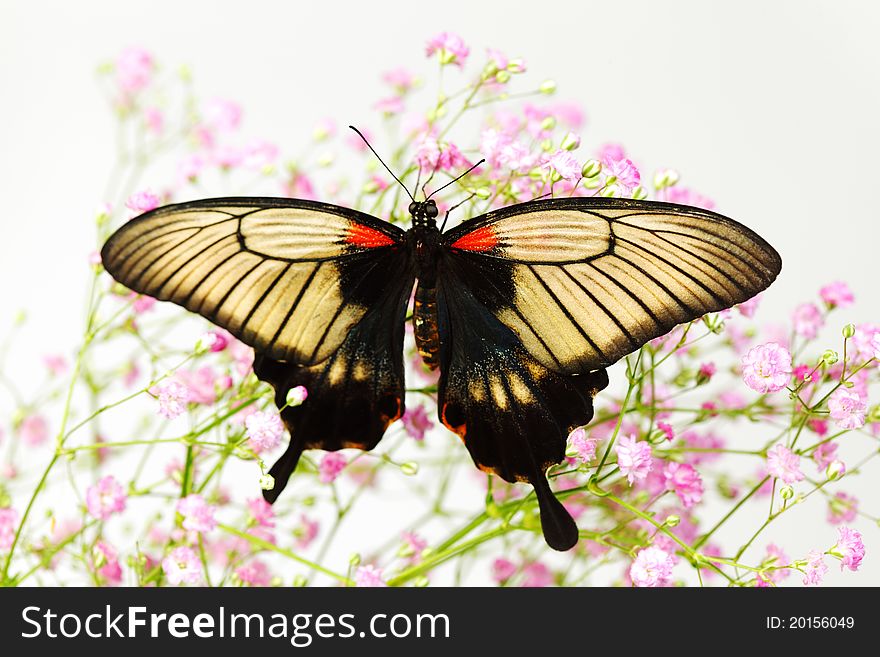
(286, 276)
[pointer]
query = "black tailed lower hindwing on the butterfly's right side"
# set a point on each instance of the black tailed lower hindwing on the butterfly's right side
(512, 413)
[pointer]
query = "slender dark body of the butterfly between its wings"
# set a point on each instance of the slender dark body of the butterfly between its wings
(424, 236)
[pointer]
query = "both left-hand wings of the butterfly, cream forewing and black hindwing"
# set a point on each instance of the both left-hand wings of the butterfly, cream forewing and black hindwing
(319, 291)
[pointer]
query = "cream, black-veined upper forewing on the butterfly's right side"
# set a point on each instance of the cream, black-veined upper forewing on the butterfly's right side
(584, 281)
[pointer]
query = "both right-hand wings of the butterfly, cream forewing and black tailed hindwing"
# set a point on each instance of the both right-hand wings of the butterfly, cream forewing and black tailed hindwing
(535, 300)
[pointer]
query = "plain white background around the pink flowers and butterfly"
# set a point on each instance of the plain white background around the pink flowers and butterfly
(770, 108)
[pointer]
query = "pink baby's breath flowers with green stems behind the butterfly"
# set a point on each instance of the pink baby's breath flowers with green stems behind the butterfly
(141, 460)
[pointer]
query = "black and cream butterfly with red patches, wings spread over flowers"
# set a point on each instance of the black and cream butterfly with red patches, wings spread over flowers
(522, 310)
